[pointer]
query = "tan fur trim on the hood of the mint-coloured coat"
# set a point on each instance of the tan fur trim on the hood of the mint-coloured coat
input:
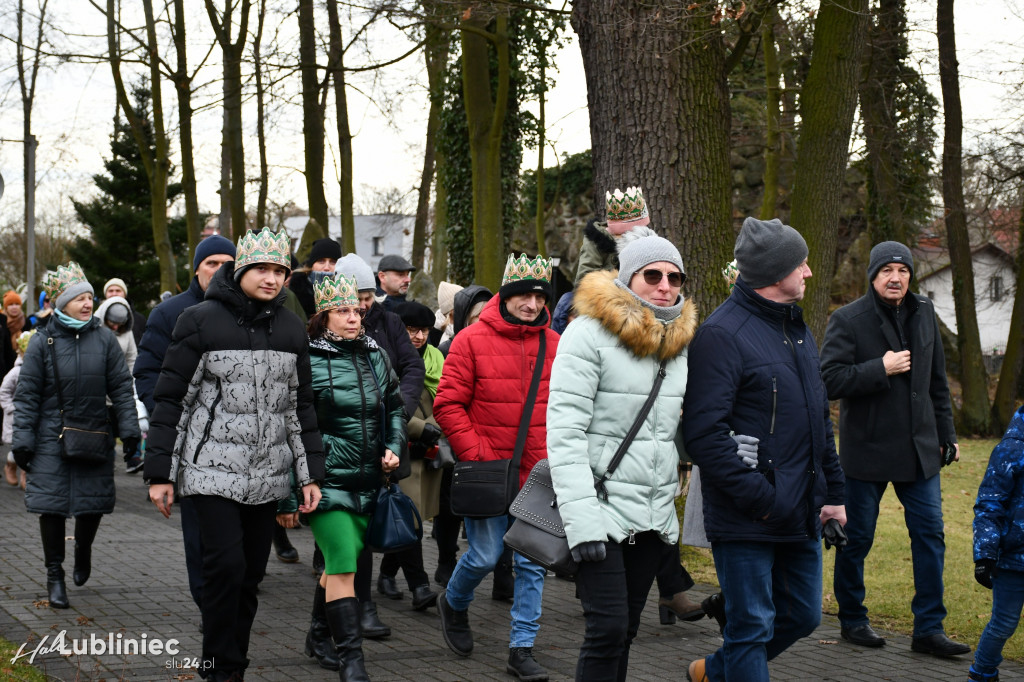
(620, 313)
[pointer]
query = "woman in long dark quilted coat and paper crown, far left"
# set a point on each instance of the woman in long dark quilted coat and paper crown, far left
(90, 369)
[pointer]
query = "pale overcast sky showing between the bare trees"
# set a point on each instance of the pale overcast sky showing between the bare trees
(75, 107)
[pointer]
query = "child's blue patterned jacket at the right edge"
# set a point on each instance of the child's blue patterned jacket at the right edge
(999, 514)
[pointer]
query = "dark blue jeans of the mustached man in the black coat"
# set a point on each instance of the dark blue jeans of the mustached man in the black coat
(923, 511)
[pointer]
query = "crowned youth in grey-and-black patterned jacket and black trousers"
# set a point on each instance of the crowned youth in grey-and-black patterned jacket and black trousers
(234, 423)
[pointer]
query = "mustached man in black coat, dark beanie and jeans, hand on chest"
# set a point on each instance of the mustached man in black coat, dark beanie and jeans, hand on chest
(882, 358)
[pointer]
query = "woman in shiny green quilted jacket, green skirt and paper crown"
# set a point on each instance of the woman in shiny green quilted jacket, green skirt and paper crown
(362, 417)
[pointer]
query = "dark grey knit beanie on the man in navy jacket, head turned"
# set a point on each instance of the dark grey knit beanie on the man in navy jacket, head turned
(767, 251)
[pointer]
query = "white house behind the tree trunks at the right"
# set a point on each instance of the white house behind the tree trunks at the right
(994, 286)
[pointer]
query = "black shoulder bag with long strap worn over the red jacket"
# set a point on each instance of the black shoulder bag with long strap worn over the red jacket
(483, 490)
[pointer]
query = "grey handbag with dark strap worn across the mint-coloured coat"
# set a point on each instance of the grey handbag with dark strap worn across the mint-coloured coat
(538, 533)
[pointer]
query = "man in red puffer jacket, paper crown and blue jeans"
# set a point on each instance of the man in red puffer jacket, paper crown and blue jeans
(481, 403)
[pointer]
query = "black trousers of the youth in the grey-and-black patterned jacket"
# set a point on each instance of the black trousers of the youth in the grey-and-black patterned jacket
(236, 546)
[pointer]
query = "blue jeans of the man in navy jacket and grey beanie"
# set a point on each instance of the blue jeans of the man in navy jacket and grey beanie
(773, 599)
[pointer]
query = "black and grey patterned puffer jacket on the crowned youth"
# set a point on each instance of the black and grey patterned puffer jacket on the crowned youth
(235, 404)
